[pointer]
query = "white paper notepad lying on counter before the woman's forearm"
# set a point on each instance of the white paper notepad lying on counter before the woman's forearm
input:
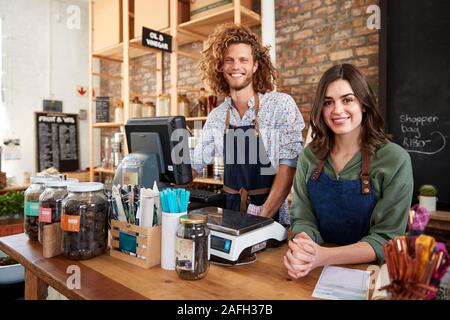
(336, 283)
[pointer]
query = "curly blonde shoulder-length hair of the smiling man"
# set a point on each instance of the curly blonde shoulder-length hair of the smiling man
(211, 64)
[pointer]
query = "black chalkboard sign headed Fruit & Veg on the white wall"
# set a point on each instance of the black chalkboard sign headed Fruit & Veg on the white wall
(57, 141)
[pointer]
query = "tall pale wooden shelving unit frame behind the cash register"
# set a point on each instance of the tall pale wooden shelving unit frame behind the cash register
(128, 49)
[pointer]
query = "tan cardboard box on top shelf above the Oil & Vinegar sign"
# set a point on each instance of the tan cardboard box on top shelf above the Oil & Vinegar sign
(156, 15)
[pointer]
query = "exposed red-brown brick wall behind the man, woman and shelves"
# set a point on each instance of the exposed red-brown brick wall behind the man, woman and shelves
(311, 36)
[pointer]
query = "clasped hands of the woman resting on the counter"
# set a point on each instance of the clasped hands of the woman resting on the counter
(303, 256)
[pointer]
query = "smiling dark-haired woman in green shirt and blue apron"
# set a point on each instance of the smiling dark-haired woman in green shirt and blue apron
(352, 187)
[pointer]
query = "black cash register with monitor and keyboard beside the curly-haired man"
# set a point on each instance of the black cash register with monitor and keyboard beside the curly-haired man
(158, 152)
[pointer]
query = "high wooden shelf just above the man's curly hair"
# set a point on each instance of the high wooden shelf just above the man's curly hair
(193, 30)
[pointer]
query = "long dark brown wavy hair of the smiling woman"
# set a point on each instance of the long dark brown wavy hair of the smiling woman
(372, 133)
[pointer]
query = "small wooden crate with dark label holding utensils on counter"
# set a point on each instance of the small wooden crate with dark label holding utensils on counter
(148, 240)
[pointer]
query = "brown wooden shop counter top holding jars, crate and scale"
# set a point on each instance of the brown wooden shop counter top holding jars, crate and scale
(105, 277)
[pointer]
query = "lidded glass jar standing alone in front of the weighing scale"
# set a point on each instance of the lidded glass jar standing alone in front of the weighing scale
(192, 247)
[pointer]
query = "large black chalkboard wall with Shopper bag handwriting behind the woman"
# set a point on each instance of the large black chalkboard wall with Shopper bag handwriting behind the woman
(418, 88)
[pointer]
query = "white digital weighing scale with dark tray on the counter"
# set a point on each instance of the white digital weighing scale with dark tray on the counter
(236, 236)
